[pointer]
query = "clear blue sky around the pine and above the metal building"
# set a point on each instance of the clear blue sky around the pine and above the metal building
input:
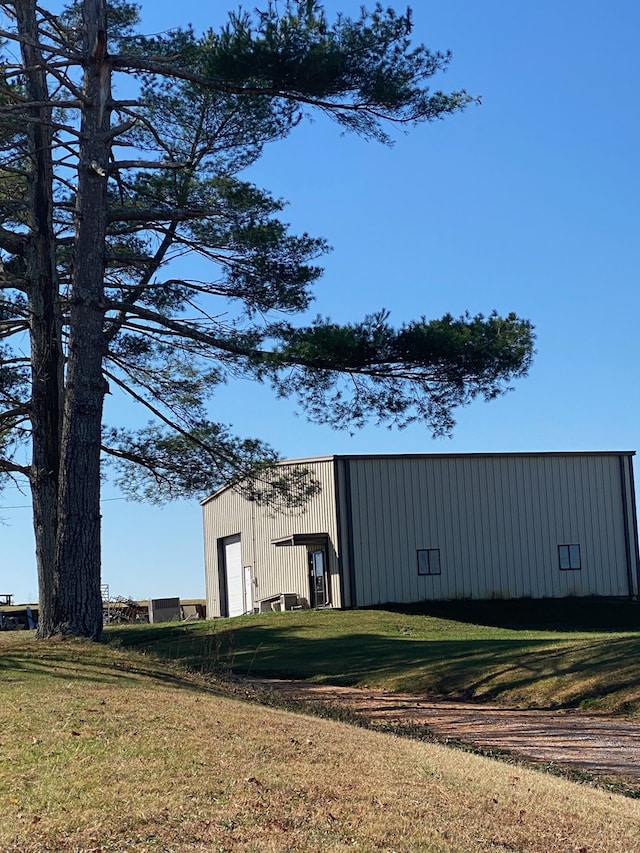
(527, 203)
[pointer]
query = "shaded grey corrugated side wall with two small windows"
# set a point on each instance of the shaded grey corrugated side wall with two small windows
(496, 520)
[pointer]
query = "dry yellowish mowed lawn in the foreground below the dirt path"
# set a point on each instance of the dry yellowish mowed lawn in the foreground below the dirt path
(105, 749)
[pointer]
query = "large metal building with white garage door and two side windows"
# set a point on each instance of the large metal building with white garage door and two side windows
(410, 528)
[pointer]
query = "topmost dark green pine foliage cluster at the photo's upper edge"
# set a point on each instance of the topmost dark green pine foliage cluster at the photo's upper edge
(363, 72)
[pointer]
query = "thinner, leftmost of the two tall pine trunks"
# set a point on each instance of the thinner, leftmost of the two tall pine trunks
(45, 325)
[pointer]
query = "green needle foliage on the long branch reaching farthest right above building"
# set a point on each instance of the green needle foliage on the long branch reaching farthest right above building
(422, 371)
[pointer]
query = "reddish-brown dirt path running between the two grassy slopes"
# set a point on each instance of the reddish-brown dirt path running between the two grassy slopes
(602, 747)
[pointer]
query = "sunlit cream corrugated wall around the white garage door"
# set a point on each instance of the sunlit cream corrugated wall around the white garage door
(274, 570)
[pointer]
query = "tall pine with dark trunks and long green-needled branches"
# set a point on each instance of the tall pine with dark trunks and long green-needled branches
(101, 193)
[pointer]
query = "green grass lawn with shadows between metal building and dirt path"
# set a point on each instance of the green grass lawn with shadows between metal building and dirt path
(469, 650)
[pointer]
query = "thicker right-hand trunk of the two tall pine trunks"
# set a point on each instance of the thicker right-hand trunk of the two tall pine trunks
(78, 553)
